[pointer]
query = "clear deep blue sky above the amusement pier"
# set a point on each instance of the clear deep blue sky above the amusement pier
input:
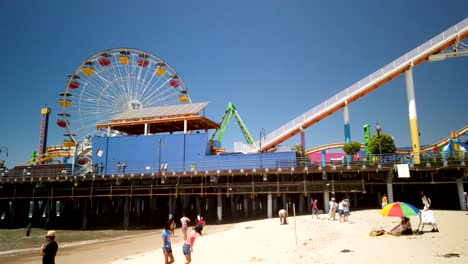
(273, 59)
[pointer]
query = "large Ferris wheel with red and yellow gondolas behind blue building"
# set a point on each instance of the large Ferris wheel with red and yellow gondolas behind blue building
(114, 81)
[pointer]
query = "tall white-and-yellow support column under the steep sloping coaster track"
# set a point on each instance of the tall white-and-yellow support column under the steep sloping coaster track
(412, 115)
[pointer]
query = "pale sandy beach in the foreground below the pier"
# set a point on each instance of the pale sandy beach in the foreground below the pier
(318, 241)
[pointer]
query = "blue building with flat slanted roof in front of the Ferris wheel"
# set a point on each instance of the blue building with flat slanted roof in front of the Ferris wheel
(181, 143)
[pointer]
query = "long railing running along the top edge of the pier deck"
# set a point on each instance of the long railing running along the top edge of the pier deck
(432, 160)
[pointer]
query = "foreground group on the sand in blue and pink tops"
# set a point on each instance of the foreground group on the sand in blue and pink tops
(189, 238)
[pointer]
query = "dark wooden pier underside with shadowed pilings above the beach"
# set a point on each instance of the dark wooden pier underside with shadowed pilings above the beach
(52, 198)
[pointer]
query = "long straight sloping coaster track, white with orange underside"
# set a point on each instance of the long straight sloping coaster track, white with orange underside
(377, 79)
